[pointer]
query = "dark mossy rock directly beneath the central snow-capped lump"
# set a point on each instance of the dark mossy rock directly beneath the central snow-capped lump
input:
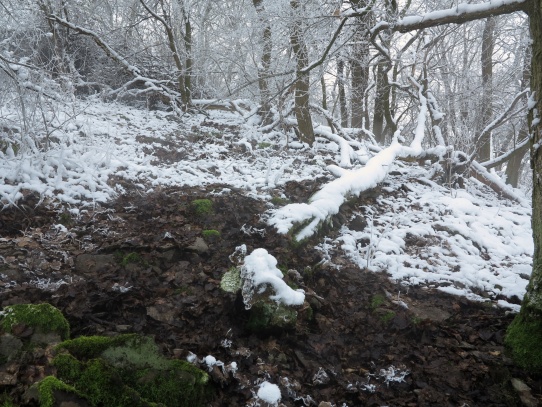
(269, 317)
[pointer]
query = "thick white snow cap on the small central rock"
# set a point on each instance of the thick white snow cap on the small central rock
(260, 270)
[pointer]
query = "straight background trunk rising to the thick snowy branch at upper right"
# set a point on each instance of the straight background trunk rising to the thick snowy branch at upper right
(483, 145)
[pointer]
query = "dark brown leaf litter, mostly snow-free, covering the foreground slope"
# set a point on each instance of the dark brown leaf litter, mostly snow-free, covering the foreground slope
(138, 264)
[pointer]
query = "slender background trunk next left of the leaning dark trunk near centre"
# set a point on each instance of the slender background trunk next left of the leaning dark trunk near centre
(263, 70)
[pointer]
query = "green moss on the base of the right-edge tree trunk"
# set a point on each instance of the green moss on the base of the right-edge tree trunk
(523, 338)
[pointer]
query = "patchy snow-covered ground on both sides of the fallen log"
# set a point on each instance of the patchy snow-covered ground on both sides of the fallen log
(465, 242)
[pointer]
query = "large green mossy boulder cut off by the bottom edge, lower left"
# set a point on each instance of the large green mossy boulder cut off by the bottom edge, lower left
(128, 370)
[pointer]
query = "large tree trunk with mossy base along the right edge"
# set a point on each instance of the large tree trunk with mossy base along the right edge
(524, 335)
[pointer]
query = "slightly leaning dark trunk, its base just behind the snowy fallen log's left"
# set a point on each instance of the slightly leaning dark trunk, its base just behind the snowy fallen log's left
(302, 112)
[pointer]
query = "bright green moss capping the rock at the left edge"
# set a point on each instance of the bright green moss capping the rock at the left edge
(42, 317)
